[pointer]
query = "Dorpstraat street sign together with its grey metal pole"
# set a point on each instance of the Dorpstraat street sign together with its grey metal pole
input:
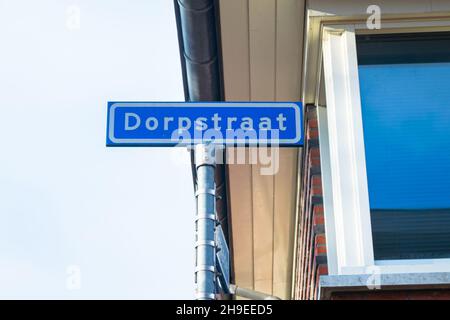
(162, 124)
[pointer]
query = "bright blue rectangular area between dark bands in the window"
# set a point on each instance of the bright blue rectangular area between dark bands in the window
(406, 119)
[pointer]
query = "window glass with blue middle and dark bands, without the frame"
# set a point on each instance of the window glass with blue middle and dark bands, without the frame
(405, 101)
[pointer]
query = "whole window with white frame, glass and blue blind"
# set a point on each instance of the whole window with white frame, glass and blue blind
(387, 147)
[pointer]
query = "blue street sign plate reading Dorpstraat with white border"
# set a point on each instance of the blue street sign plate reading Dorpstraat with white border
(185, 123)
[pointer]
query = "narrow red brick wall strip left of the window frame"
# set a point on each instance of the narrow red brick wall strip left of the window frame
(311, 243)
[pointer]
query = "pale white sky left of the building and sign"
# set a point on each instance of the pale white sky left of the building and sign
(123, 217)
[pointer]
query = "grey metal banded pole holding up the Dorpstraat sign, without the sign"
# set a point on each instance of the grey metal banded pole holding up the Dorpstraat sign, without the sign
(205, 258)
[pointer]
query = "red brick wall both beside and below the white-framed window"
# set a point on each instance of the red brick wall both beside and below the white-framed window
(310, 246)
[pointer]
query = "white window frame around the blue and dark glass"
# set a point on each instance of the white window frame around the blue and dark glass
(346, 197)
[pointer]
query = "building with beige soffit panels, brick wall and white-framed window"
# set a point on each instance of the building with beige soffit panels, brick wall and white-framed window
(362, 211)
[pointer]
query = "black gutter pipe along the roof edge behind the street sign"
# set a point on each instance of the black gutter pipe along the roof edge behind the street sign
(198, 36)
